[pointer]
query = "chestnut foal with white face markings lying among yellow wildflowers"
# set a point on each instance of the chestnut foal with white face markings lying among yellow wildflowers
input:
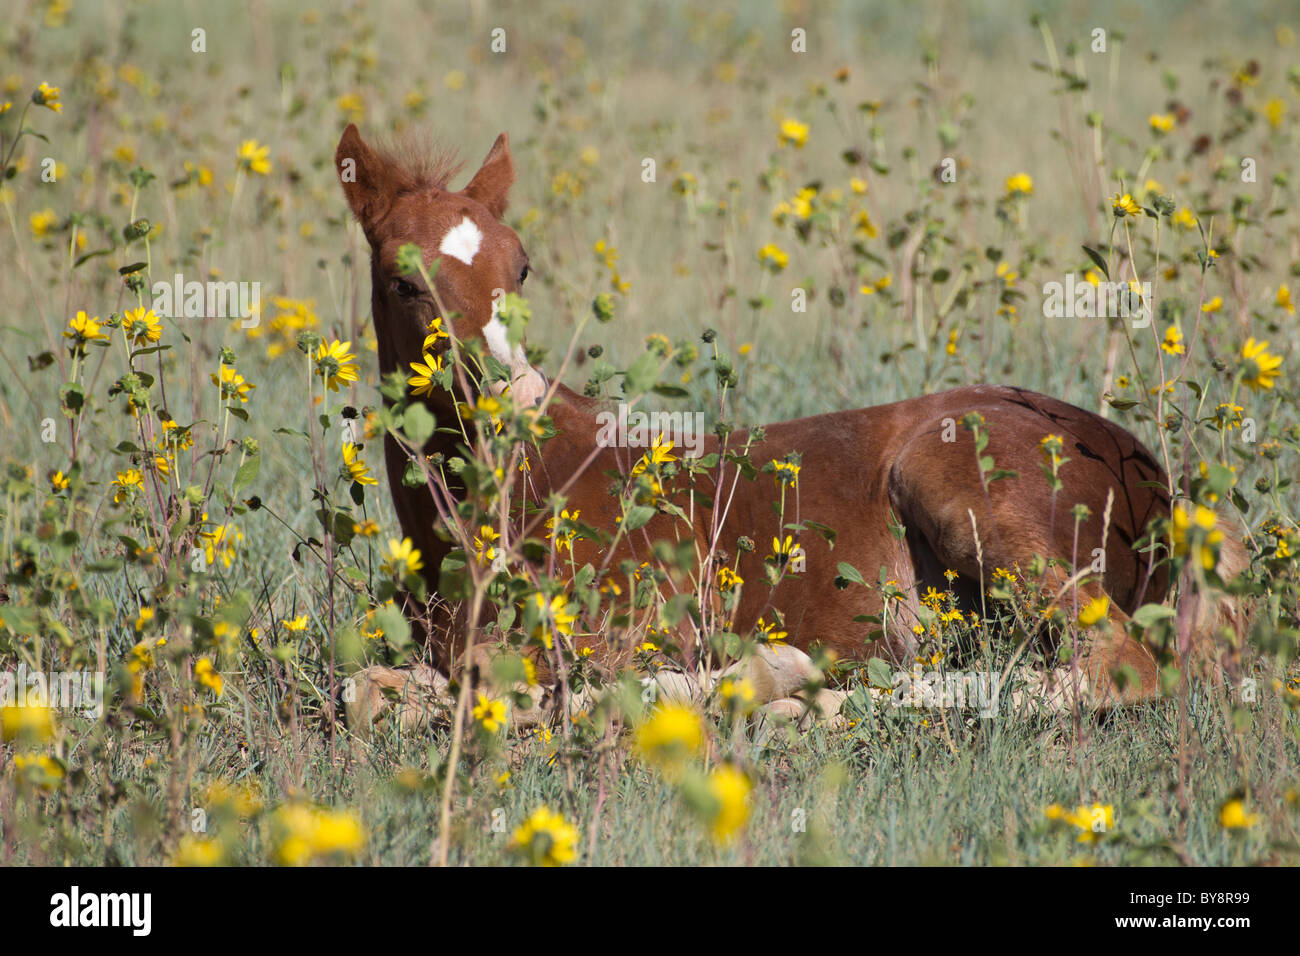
(899, 483)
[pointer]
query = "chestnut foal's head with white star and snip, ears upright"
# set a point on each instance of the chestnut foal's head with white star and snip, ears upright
(404, 201)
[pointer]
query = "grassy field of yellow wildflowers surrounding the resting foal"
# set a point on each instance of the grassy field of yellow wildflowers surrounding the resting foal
(752, 211)
